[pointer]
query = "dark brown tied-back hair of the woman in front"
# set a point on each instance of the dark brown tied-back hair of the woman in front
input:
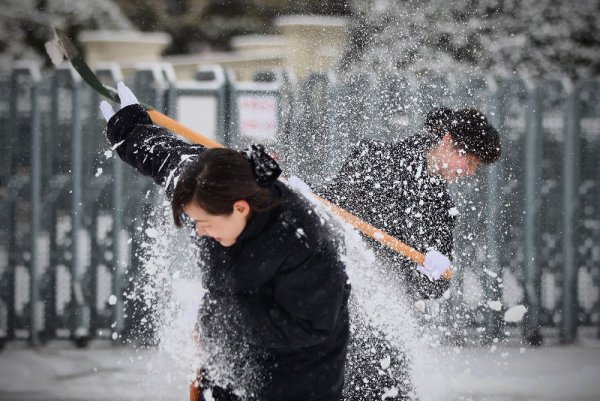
(215, 181)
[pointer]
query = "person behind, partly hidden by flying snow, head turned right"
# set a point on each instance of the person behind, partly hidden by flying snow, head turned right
(402, 188)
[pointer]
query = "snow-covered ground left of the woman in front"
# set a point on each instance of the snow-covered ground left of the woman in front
(103, 372)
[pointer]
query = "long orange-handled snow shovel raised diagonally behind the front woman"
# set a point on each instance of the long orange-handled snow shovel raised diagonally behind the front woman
(61, 47)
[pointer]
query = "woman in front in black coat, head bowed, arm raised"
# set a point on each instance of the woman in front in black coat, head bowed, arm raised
(273, 324)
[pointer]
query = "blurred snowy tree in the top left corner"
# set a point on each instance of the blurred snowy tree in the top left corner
(25, 24)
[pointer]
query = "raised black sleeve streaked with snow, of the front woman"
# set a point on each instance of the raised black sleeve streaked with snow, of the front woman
(152, 150)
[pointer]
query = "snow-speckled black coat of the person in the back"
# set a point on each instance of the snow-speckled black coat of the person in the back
(387, 185)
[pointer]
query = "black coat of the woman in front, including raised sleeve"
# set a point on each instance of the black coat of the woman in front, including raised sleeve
(277, 299)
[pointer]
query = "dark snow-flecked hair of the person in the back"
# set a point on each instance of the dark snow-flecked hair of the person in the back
(470, 130)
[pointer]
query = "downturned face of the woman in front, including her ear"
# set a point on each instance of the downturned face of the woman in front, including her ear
(223, 229)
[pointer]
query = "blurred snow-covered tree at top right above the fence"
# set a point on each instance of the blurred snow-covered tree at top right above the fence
(534, 37)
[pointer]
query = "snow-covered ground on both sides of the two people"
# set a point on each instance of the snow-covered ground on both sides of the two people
(104, 372)
